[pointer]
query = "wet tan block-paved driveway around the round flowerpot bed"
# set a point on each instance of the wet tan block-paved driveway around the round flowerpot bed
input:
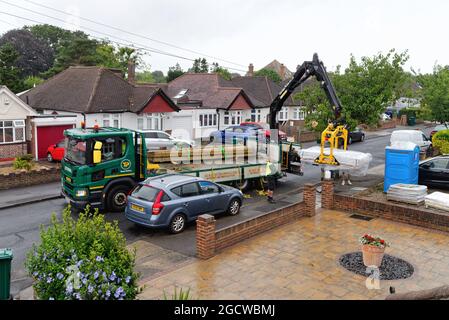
(300, 261)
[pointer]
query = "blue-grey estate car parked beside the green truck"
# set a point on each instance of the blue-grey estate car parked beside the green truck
(172, 200)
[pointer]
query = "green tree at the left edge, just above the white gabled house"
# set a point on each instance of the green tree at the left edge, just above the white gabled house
(9, 72)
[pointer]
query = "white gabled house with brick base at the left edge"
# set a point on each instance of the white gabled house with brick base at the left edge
(15, 125)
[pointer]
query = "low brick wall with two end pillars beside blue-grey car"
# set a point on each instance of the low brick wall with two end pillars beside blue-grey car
(209, 240)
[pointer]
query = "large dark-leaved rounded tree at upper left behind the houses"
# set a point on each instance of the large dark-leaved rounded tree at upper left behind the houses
(35, 55)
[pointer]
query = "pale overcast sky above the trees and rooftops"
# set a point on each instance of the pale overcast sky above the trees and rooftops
(258, 31)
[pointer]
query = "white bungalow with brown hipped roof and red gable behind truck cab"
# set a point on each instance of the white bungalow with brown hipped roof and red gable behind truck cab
(97, 95)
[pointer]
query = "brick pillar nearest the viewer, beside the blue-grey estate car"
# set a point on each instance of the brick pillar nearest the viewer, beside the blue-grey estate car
(205, 236)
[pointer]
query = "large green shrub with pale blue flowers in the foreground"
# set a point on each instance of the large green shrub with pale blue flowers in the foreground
(85, 259)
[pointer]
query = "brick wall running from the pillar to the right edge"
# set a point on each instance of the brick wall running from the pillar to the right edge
(392, 211)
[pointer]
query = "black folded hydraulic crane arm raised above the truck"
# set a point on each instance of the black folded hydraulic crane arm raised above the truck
(304, 72)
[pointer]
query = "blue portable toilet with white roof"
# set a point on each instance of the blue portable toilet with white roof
(401, 164)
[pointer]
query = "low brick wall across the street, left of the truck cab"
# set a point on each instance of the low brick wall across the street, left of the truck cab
(24, 178)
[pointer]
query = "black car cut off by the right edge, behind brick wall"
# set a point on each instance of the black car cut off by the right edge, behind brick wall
(435, 172)
